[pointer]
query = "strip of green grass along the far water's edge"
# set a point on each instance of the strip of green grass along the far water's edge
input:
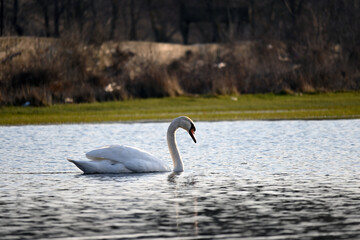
(243, 107)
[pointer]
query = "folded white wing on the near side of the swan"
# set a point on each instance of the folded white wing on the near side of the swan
(134, 159)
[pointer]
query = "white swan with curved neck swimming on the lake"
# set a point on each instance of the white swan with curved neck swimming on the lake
(124, 159)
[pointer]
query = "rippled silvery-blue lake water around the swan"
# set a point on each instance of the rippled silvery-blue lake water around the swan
(242, 180)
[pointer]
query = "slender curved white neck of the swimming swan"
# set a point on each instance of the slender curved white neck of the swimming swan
(174, 152)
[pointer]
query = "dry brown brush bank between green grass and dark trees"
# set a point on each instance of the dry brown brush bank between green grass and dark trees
(47, 71)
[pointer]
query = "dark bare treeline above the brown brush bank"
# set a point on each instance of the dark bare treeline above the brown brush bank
(95, 21)
